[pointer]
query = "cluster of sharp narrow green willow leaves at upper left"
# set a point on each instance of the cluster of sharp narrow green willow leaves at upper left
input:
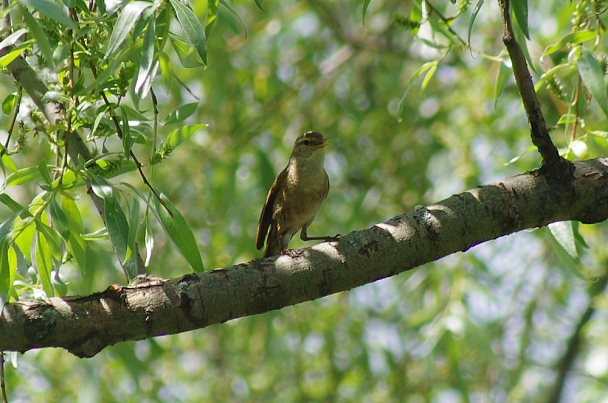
(102, 59)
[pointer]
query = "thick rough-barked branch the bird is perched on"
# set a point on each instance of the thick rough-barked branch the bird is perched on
(152, 306)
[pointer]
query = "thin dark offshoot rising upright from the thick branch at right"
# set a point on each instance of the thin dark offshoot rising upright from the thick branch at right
(552, 162)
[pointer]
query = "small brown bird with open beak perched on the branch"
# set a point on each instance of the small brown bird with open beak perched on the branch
(295, 196)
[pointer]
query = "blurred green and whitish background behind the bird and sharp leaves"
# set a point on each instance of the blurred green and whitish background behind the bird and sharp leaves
(491, 324)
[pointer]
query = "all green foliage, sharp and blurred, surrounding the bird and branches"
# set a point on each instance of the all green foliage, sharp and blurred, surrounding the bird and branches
(418, 103)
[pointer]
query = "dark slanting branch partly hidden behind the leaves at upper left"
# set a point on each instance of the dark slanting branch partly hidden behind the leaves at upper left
(27, 78)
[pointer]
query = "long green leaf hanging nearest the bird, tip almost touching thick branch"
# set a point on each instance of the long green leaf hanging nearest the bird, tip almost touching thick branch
(175, 226)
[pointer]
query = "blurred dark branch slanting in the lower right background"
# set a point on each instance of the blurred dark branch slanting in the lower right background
(564, 366)
